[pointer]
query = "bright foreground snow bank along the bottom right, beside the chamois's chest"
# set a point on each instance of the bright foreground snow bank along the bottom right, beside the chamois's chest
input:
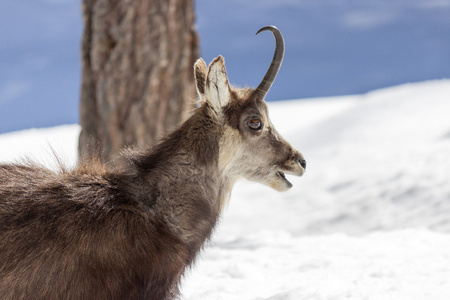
(408, 264)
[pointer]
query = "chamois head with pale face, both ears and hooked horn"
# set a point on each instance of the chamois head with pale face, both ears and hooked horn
(249, 147)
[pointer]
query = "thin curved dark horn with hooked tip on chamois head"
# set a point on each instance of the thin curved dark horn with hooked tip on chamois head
(269, 78)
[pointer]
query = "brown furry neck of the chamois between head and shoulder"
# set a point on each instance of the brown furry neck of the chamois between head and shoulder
(183, 169)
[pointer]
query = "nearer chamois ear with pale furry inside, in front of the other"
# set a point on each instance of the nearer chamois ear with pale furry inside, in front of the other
(217, 87)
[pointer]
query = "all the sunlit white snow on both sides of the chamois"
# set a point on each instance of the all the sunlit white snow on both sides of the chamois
(370, 219)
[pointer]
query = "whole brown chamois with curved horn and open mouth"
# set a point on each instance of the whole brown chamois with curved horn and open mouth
(104, 232)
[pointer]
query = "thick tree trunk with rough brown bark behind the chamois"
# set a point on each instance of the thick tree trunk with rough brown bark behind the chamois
(137, 72)
